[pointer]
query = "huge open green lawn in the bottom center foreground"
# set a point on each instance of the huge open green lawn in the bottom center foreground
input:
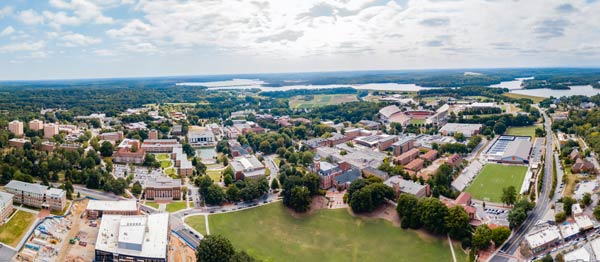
(271, 233)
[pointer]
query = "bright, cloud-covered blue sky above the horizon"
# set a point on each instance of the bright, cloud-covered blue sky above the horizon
(63, 39)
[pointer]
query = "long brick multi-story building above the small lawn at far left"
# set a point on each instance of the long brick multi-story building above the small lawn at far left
(36, 195)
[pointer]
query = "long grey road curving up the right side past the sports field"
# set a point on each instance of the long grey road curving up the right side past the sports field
(508, 251)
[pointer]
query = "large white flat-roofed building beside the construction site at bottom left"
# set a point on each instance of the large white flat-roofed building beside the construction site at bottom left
(133, 238)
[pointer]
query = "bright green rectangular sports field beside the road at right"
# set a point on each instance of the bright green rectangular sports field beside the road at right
(493, 178)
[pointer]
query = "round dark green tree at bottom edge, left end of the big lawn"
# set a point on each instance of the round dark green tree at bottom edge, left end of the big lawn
(214, 248)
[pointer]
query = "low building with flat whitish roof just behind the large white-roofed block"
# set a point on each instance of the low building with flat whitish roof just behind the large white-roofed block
(98, 208)
